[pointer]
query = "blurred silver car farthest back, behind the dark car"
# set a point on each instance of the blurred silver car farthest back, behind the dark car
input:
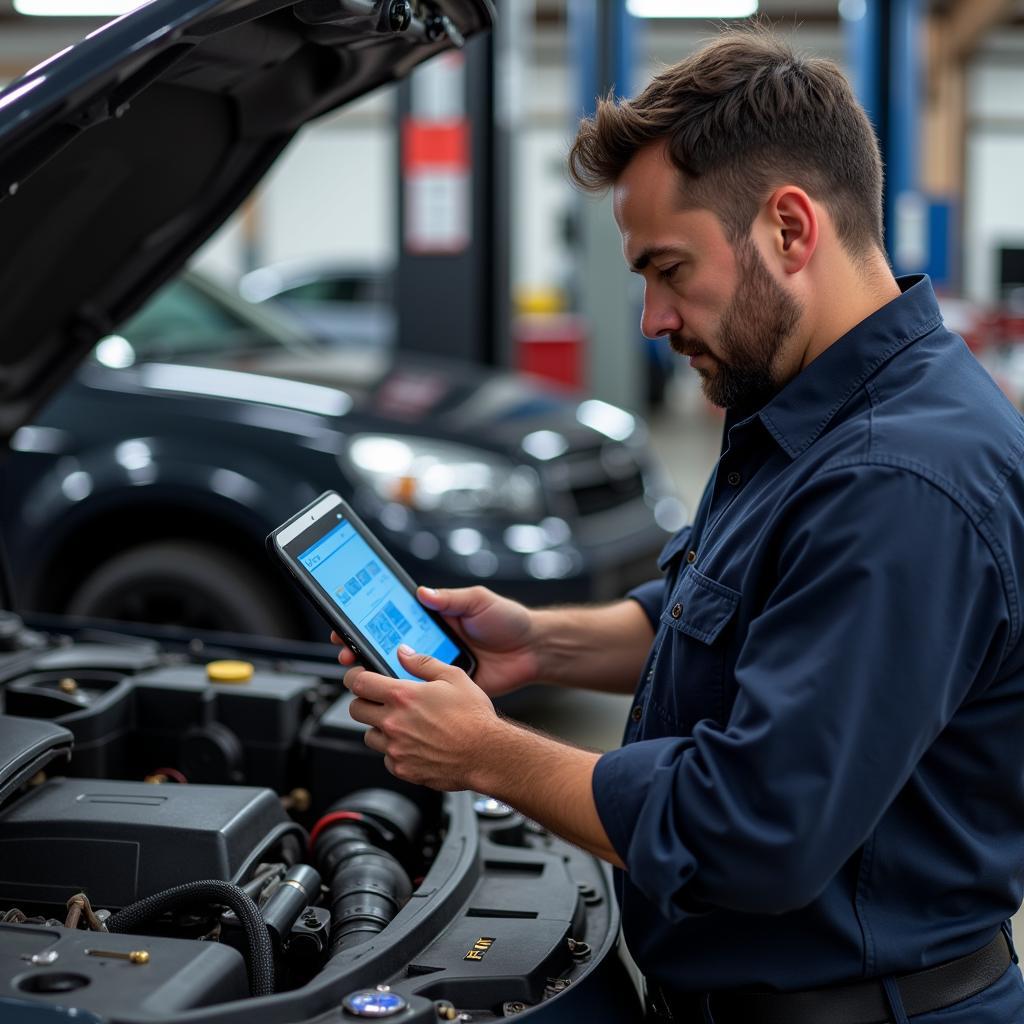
(344, 305)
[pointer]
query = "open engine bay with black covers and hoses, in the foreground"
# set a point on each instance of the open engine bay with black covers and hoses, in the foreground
(197, 832)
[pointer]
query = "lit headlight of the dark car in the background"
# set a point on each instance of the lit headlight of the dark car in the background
(444, 478)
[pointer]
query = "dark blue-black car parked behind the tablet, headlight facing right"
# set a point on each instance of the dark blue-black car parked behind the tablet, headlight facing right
(144, 490)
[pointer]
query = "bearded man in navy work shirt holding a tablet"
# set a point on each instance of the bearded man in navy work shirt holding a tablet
(819, 809)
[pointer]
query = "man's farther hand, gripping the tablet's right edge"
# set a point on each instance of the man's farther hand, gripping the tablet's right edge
(498, 631)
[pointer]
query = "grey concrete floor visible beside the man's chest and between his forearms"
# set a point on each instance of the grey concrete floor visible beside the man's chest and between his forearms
(687, 436)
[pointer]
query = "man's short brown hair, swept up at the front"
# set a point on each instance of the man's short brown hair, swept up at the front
(741, 117)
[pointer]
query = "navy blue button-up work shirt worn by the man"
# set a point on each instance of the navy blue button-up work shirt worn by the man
(823, 779)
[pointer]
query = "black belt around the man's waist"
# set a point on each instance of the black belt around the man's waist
(861, 1003)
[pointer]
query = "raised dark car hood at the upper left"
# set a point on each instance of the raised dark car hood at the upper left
(122, 155)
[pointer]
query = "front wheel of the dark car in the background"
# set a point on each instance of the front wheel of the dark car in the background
(182, 584)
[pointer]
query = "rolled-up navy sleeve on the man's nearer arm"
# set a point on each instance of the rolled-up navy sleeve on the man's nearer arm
(887, 609)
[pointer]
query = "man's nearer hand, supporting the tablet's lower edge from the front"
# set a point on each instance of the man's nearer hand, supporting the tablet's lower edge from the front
(434, 734)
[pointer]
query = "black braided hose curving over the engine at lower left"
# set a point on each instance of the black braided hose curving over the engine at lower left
(260, 964)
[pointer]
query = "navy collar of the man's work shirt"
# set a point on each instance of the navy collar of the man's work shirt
(800, 413)
